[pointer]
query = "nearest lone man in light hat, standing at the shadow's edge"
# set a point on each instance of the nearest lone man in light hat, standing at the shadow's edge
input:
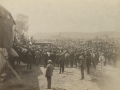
(49, 71)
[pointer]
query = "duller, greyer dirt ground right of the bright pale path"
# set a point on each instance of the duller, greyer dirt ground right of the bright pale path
(107, 78)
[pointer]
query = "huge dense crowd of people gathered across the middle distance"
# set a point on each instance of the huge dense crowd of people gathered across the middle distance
(69, 53)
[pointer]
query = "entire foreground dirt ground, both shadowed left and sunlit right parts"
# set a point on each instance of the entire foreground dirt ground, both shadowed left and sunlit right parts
(106, 78)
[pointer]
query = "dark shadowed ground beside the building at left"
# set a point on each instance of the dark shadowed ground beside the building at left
(28, 77)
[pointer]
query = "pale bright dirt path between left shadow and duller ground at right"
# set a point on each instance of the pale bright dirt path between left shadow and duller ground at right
(69, 80)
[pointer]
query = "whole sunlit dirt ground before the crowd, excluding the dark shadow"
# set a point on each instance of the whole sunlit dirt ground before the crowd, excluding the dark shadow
(99, 79)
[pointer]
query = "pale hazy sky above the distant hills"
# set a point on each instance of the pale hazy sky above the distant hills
(67, 15)
